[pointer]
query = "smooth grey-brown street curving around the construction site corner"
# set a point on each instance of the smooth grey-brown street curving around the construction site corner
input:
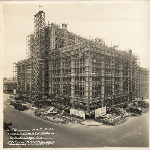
(133, 133)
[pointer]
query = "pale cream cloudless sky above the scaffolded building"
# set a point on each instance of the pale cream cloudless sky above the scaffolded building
(126, 24)
